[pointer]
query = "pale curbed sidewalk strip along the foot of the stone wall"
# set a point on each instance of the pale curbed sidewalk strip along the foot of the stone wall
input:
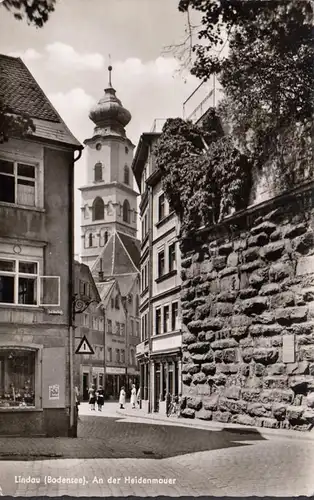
(219, 426)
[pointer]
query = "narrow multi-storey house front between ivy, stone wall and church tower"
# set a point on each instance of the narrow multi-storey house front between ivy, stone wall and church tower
(159, 352)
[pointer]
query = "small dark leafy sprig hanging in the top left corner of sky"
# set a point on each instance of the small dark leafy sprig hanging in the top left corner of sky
(35, 12)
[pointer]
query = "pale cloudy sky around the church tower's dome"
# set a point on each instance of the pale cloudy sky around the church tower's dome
(69, 57)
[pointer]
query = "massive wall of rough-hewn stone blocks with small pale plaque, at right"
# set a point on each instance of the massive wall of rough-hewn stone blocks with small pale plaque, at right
(248, 316)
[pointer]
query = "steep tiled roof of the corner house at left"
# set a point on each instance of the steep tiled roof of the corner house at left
(22, 94)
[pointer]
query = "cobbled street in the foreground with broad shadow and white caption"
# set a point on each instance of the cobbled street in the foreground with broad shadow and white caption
(121, 455)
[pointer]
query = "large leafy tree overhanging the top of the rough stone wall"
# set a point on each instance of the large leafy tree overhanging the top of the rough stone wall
(267, 75)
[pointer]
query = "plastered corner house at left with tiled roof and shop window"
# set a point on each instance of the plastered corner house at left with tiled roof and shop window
(36, 264)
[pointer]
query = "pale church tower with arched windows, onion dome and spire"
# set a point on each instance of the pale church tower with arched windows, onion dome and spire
(109, 202)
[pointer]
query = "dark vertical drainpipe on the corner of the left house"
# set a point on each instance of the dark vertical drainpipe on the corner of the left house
(73, 422)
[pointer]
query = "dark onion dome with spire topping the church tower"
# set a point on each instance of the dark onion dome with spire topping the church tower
(109, 111)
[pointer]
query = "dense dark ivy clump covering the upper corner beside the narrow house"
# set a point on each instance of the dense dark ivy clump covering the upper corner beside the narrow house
(204, 176)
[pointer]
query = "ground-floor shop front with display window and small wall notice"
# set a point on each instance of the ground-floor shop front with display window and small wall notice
(33, 390)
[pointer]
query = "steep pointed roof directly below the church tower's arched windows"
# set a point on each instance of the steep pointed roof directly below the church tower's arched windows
(120, 256)
